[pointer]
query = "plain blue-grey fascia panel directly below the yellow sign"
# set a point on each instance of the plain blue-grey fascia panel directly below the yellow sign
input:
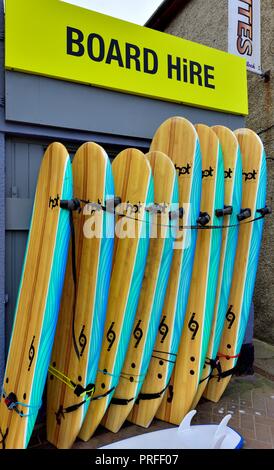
(49, 102)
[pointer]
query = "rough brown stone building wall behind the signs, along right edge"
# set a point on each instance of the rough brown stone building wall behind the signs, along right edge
(206, 22)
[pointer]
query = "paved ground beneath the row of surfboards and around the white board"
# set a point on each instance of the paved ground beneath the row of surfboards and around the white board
(249, 399)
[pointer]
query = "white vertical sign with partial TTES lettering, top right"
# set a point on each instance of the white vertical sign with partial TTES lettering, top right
(244, 32)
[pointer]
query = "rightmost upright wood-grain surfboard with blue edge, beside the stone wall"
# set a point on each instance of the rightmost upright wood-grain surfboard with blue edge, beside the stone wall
(254, 180)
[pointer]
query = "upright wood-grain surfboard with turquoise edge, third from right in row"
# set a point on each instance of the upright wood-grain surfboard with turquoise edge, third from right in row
(199, 313)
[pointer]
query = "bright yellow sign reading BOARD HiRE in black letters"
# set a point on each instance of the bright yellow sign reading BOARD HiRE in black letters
(56, 39)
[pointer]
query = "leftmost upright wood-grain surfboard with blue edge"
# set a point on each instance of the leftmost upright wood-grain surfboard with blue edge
(38, 301)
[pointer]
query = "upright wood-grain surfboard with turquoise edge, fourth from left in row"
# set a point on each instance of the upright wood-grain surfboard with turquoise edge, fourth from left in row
(153, 291)
